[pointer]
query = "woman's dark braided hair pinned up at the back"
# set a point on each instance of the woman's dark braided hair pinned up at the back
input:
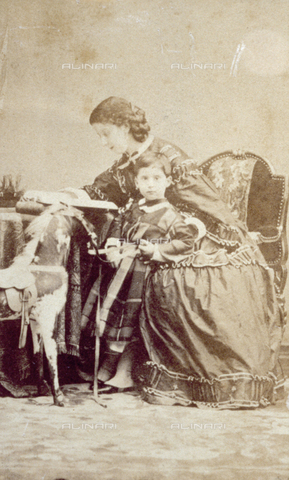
(119, 111)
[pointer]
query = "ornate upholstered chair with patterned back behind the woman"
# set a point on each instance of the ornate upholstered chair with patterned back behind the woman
(258, 197)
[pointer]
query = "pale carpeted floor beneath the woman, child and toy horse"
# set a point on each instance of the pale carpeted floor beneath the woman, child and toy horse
(131, 440)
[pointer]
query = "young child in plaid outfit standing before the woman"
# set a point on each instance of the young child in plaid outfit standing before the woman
(148, 232)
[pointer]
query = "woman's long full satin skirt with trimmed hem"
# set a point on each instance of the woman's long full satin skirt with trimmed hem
(212, 333)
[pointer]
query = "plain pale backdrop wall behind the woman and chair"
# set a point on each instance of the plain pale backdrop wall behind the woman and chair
(235, 98)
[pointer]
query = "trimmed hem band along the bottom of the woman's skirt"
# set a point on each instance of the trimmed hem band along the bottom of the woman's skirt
(228, 391)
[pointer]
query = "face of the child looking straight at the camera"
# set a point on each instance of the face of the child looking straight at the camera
(152, 182)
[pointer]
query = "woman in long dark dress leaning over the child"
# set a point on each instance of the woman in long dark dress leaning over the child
(210, 323)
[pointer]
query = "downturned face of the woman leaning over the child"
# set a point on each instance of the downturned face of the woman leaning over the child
(113, 137)
